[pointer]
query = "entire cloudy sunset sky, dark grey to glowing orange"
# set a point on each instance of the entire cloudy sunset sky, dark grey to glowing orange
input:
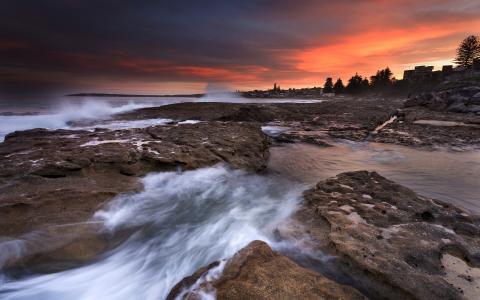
(183, 46)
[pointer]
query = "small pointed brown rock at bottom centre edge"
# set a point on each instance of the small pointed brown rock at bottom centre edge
(257, 272)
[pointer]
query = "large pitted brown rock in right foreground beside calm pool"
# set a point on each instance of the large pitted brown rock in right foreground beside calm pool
(387, 235)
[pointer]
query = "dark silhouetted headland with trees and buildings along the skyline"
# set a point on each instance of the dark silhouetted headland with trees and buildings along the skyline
(419, 79)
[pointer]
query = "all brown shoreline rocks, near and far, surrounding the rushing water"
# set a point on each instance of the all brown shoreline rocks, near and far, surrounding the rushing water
(392, 243)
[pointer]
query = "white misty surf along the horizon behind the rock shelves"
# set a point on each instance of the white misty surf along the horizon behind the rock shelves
(103, 108)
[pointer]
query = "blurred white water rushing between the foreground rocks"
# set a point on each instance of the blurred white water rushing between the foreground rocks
(181, 222)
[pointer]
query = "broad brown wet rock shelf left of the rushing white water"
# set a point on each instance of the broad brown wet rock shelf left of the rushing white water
(52, 180)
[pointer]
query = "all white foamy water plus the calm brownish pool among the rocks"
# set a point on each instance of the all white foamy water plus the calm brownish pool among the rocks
(183, 221)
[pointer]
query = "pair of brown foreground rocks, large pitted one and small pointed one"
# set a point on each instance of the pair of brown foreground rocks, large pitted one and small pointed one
(386, 241)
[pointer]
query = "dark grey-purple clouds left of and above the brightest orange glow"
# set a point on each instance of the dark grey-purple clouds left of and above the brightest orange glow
(80, 44)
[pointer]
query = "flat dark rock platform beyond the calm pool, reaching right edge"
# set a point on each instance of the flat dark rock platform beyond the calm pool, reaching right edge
(351, 118)
